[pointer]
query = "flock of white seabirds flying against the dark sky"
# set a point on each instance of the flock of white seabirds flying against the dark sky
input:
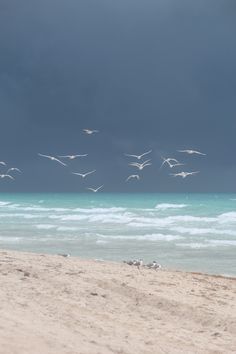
(139, 164)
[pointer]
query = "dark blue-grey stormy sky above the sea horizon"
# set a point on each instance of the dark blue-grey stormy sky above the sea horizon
(149, 74)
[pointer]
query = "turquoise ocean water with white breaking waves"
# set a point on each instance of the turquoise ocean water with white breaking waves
(194, 232)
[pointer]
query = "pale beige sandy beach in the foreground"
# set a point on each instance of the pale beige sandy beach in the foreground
(51, 304)
